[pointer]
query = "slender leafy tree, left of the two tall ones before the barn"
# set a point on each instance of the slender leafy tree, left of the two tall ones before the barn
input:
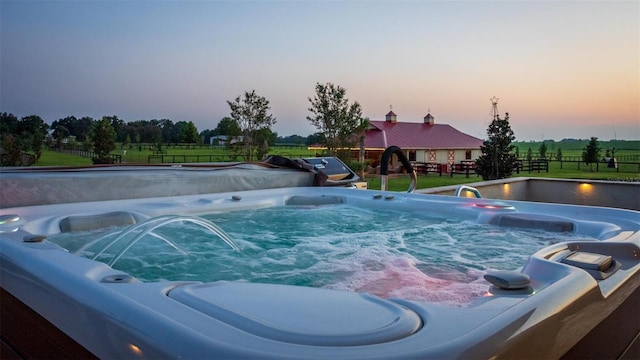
(250, 113)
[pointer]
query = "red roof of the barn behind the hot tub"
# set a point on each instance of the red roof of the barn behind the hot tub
(383, 134)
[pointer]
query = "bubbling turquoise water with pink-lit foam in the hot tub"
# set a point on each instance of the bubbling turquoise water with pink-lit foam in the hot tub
(383, 252)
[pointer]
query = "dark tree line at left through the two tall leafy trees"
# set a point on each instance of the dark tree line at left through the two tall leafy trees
(247, 129)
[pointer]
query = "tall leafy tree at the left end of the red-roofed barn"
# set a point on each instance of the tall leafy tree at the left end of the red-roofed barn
(340, 123)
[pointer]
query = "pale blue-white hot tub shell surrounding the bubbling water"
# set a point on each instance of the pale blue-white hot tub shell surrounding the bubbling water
(114, 315)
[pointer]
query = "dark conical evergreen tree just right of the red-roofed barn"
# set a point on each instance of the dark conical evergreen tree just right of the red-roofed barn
(497, 160)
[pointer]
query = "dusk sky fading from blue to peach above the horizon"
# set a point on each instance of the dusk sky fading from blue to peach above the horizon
(561, 69)
